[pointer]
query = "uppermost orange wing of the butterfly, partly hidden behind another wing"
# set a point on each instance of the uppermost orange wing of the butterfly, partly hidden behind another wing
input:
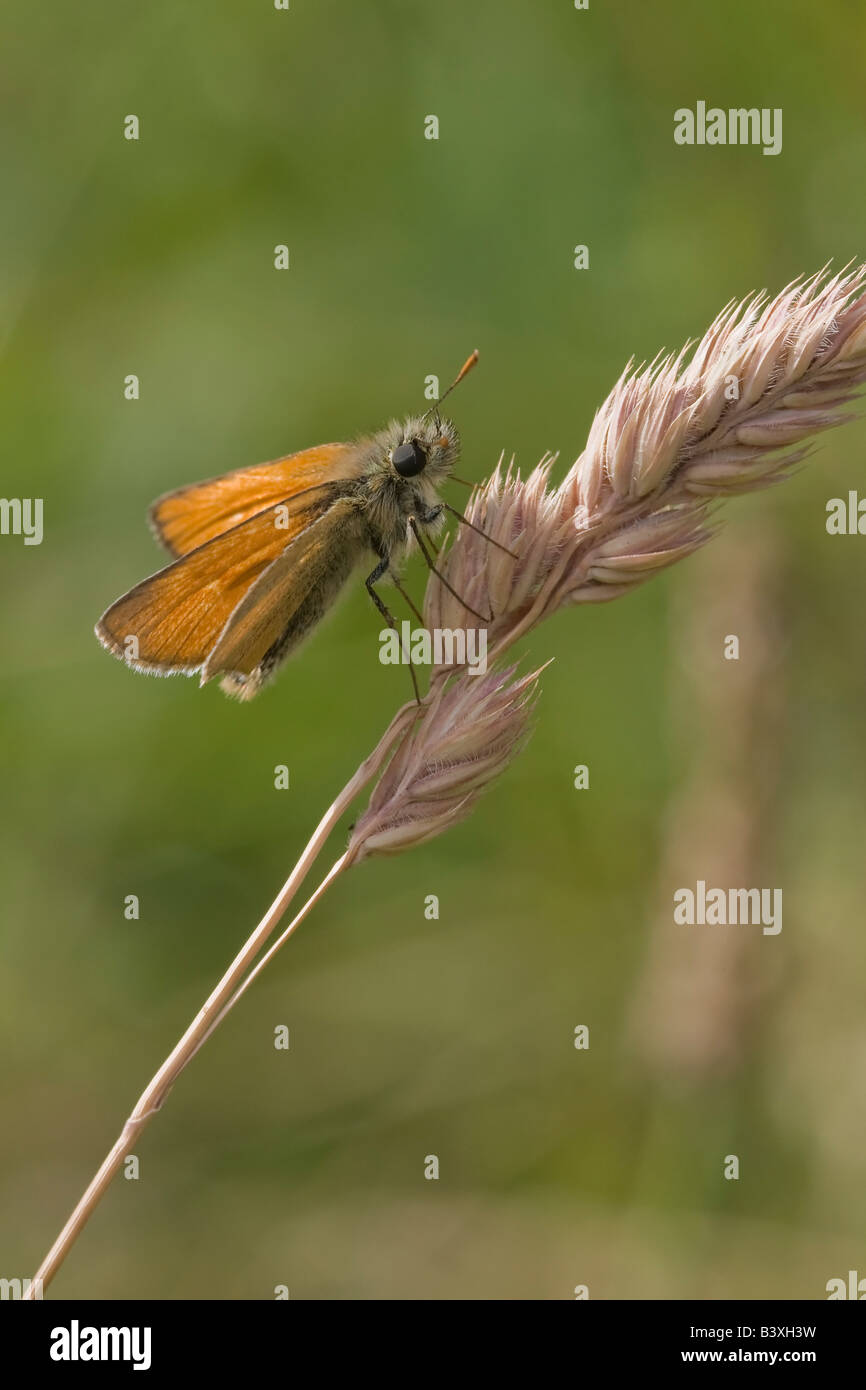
(191, 516)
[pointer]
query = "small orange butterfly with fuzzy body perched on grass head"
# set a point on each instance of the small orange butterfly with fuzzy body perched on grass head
(262, 554)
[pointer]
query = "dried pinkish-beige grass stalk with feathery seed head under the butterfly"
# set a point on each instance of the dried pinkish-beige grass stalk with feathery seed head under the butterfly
(672, 439)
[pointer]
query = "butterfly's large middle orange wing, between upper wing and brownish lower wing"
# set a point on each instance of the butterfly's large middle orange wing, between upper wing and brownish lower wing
(173, 621)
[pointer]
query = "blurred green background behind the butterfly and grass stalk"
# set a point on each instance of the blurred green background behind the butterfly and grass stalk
(414, 1038)
